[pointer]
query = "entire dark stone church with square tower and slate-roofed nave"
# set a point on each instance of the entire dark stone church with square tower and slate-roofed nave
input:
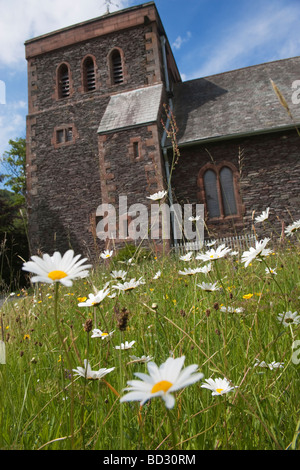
(103, 98)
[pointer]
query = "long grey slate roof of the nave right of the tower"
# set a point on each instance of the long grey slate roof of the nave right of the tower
(236, 103)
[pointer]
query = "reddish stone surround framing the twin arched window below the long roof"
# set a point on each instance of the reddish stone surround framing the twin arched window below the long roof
(201, 193)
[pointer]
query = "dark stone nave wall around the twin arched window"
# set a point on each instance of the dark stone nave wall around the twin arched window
(269, 167)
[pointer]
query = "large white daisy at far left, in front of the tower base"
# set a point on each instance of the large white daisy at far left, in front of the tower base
(57, 268)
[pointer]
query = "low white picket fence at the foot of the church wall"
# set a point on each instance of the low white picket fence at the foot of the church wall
(237, 243)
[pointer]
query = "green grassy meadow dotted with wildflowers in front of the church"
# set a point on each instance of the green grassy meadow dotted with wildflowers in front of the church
(232, 332)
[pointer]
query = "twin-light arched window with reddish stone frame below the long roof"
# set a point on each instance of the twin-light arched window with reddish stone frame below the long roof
(219, 190)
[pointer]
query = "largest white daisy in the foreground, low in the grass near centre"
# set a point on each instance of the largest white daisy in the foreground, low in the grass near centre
(162, 381)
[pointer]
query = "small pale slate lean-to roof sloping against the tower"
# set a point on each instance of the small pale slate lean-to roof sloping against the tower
(131, 109)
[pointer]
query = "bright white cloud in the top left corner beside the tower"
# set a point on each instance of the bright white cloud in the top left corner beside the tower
(22, 20)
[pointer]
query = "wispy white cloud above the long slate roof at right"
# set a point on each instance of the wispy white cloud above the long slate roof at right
(270, 34)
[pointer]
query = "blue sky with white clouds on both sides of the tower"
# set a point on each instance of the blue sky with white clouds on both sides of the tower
(207, 37)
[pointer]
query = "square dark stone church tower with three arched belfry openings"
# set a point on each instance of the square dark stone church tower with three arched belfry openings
(96, 99)
